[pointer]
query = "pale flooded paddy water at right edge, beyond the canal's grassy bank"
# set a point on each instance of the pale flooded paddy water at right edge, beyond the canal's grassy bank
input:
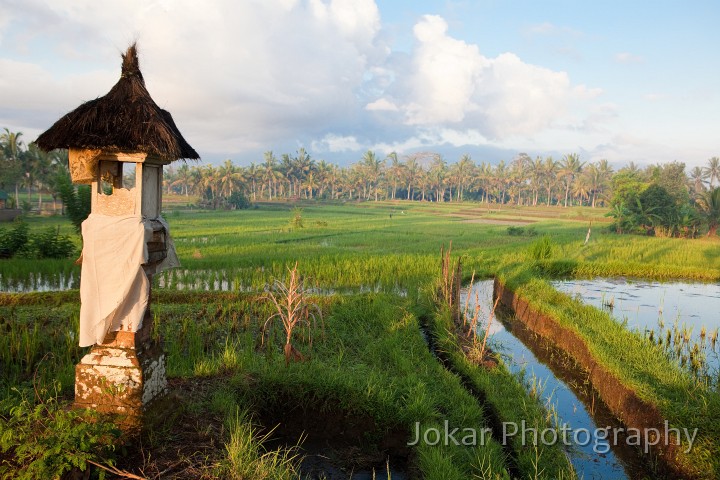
(647, 305)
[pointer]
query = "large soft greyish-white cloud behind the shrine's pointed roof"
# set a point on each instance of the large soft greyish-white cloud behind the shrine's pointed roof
(234, 74)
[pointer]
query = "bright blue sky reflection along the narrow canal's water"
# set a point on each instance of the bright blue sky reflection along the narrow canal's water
(570, 409)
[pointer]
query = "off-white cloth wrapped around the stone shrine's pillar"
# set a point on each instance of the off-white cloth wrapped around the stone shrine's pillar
(114, 288)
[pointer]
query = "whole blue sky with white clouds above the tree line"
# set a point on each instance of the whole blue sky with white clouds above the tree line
(618, 80)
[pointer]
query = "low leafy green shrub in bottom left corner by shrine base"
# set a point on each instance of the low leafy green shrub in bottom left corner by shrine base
(43, 439)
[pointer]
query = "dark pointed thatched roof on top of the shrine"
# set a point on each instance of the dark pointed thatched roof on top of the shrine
(125, 120)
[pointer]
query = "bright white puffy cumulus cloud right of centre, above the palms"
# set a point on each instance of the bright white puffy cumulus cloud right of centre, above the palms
(452, 84)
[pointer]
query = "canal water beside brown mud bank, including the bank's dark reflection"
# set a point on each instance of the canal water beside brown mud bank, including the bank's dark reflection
(549, 373)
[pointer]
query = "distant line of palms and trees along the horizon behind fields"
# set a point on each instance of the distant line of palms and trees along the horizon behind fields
(678, 204)
